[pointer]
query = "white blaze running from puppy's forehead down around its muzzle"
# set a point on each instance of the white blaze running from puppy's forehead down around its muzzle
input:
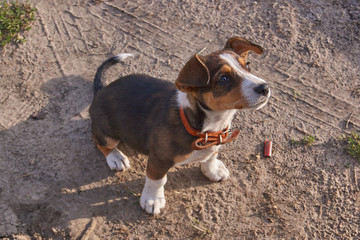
(249, 83)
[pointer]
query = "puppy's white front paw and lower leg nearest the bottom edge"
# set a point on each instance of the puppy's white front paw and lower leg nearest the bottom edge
(152, 198)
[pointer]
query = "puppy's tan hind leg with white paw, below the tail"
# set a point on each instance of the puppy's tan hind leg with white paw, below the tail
(114, 158)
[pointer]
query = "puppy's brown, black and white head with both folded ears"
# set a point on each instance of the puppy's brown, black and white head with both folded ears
(222, 80)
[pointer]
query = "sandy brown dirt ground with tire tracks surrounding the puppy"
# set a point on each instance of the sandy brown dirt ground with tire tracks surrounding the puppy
(55, 184)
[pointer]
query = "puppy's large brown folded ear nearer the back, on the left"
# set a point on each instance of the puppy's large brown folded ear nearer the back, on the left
(194, 74)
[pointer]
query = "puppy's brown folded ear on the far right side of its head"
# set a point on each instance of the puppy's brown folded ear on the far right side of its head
(242, 46)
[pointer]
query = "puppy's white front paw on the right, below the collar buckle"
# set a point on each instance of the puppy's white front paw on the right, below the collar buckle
(215, 170)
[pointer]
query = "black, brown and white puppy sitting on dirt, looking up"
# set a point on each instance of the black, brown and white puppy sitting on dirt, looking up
(179, 123)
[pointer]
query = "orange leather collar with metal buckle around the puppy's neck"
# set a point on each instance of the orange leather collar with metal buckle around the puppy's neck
(207, 139)
